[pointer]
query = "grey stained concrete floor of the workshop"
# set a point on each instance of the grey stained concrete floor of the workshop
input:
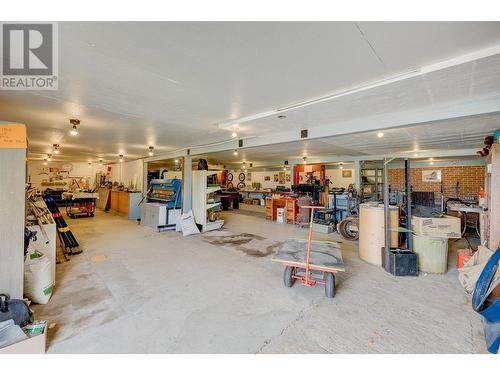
(162, 293)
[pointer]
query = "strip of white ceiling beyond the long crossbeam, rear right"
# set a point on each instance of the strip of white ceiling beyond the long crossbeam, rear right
(464, 133)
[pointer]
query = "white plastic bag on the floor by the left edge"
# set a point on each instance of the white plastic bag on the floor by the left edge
(38, 277)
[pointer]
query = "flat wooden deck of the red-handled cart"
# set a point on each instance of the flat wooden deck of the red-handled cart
(325, 256)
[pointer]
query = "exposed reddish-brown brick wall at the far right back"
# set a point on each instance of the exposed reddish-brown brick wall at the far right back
(471, 179)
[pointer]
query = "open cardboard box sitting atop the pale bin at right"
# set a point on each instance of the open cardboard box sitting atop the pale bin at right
(443, 227)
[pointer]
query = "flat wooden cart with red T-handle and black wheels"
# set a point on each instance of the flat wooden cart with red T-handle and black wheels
(318, 266)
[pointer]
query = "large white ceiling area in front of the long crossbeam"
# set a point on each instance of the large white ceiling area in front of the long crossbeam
(169, 84)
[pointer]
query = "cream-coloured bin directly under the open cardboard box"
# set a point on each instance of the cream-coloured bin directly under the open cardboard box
(432, 253)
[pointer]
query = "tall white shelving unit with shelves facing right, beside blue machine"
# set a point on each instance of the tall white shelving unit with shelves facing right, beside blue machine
(201, 203)
